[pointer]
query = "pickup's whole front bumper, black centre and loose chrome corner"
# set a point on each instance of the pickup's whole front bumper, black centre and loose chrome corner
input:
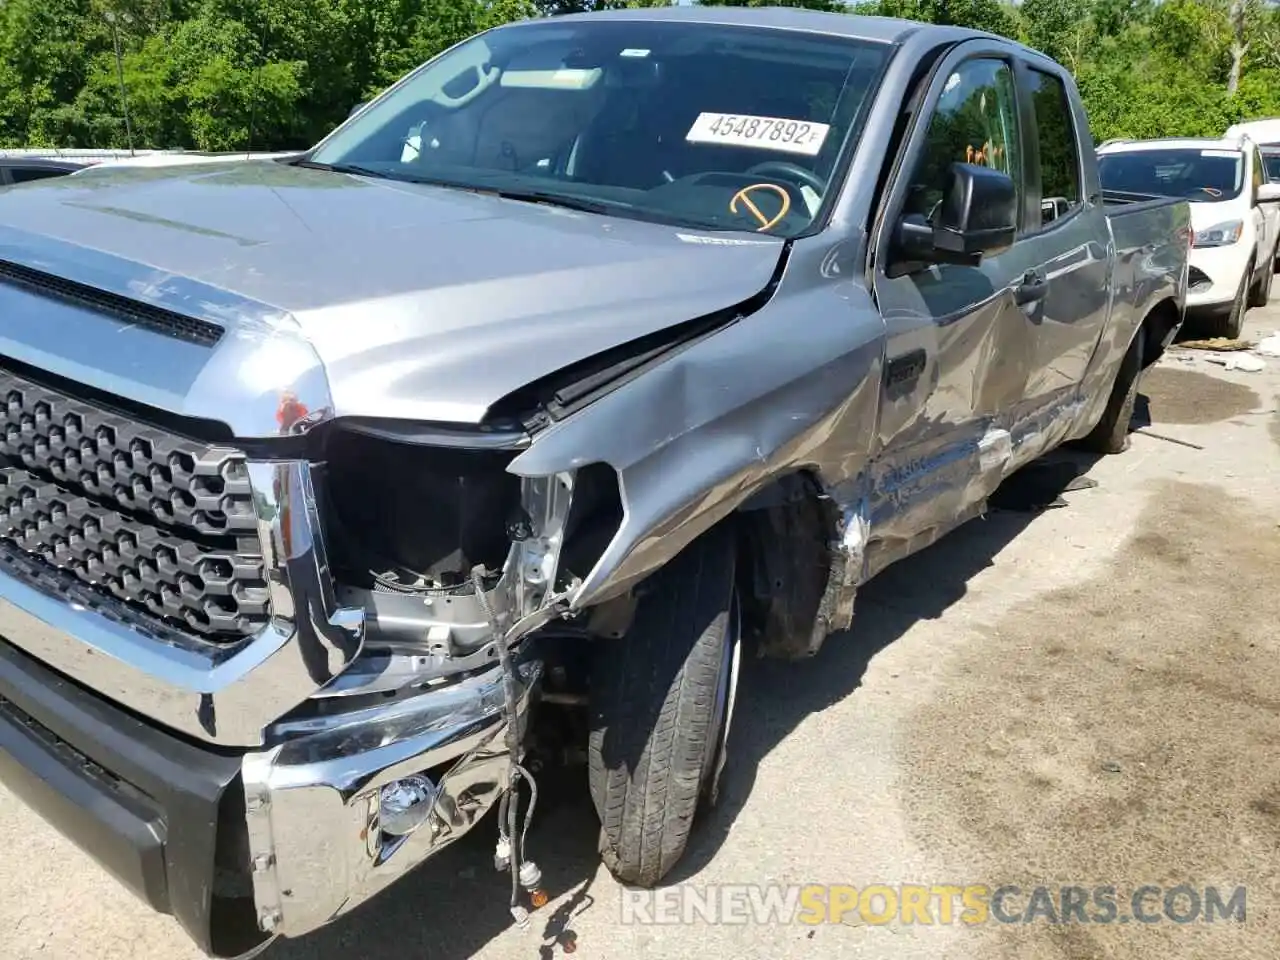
(239, 847)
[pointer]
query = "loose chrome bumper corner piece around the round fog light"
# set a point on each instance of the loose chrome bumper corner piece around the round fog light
(313, 802)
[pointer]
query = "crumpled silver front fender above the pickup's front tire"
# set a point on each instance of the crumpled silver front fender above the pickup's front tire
(793, 386)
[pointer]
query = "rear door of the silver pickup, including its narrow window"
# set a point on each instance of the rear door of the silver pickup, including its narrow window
(1068, 245)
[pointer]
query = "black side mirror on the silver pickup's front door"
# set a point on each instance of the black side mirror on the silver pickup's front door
(979, 216)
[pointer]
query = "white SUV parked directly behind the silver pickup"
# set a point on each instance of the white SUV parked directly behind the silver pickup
(1236, 213)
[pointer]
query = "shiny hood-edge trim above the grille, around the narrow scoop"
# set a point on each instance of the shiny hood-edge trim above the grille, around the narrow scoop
(263, 380)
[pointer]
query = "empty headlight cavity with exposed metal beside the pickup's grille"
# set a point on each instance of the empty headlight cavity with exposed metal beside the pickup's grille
(413, 531)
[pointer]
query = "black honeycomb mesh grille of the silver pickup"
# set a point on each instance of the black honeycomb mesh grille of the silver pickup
(158, 523)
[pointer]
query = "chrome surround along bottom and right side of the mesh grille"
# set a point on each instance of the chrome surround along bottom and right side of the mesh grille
(217, 694)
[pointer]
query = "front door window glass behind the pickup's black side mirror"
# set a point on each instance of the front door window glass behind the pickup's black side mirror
(975, 122)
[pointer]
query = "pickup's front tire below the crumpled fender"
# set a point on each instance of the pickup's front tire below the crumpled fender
(660, 706)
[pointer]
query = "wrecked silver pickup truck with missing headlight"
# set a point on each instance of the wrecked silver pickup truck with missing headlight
(589, 353)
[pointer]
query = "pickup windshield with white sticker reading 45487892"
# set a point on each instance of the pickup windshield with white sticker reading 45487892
(721, 129)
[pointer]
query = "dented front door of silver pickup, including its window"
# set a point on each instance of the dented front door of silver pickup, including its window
(957, 350)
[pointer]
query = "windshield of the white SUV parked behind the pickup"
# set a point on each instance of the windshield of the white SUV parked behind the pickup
(1204, 176)
